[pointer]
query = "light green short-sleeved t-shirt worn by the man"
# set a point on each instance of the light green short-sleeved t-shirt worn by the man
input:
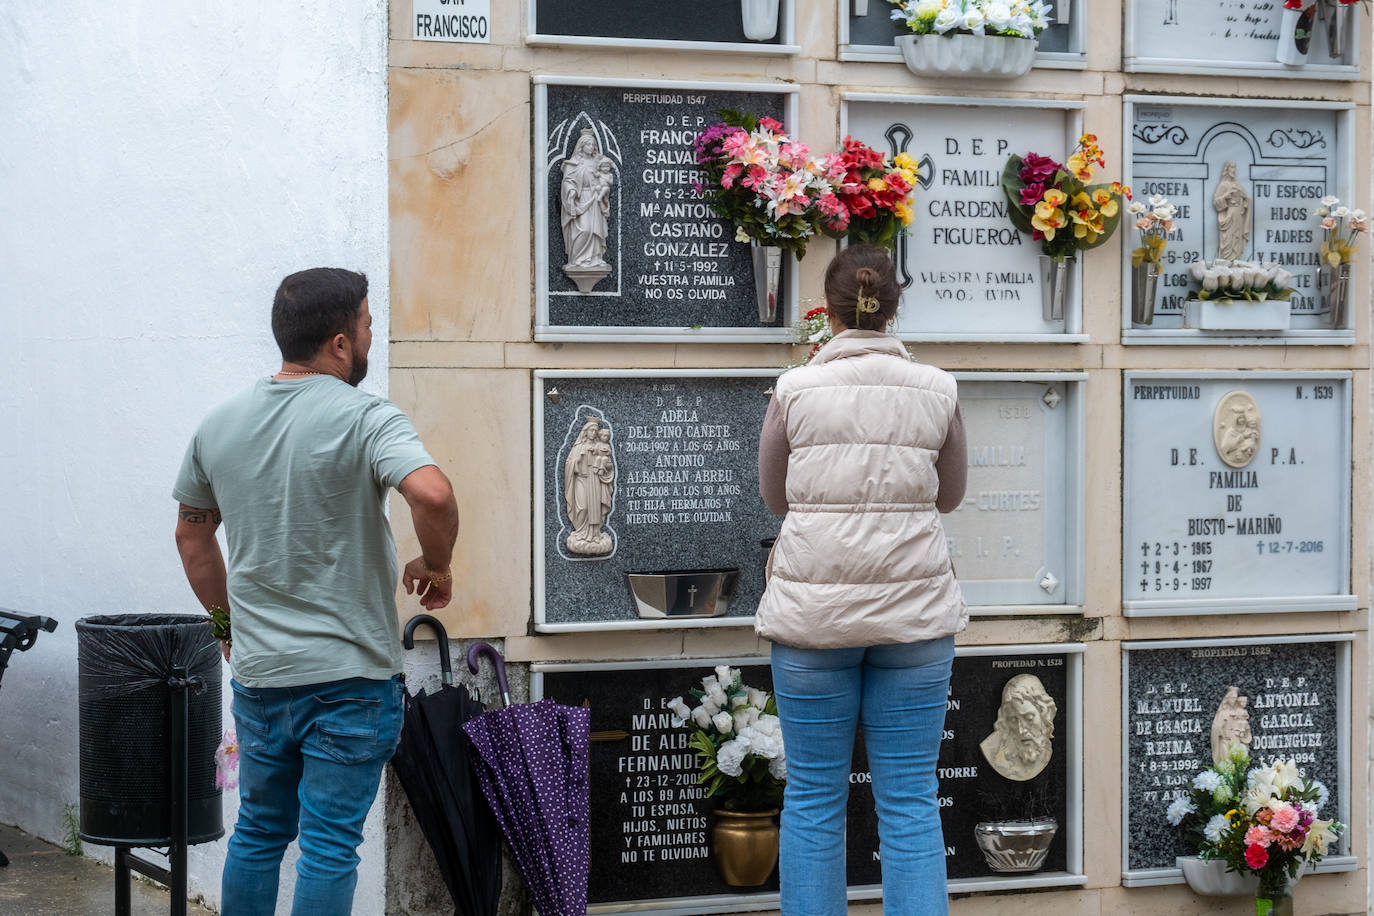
(300, 472)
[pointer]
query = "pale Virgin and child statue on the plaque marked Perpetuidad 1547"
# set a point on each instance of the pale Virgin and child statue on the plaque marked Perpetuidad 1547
(585, 211)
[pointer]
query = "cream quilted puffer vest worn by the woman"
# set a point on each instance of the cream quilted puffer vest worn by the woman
(862, 557)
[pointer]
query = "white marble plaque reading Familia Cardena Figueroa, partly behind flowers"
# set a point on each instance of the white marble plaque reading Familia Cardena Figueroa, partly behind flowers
(967, 273)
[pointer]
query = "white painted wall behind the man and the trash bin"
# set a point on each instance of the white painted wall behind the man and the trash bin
(164, 165)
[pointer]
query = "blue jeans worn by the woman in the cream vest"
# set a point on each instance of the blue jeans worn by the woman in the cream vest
(899, 693)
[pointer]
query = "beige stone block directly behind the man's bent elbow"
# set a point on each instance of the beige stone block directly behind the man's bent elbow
(477, 426)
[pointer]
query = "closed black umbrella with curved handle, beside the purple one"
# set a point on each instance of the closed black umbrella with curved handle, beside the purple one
(433, 766)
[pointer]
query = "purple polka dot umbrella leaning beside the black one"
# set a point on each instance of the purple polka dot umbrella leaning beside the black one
(532, 766)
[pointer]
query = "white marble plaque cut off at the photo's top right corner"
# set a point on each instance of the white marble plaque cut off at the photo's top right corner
(1233, 36)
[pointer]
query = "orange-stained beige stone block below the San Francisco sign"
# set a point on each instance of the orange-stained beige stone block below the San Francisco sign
(460, 205)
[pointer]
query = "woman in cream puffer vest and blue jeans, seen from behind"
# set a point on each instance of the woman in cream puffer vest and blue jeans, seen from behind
(862, 450)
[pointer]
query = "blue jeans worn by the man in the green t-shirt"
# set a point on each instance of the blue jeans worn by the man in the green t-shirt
(310, 763)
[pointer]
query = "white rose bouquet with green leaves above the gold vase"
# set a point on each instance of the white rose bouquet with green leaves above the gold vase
(739, 742)
